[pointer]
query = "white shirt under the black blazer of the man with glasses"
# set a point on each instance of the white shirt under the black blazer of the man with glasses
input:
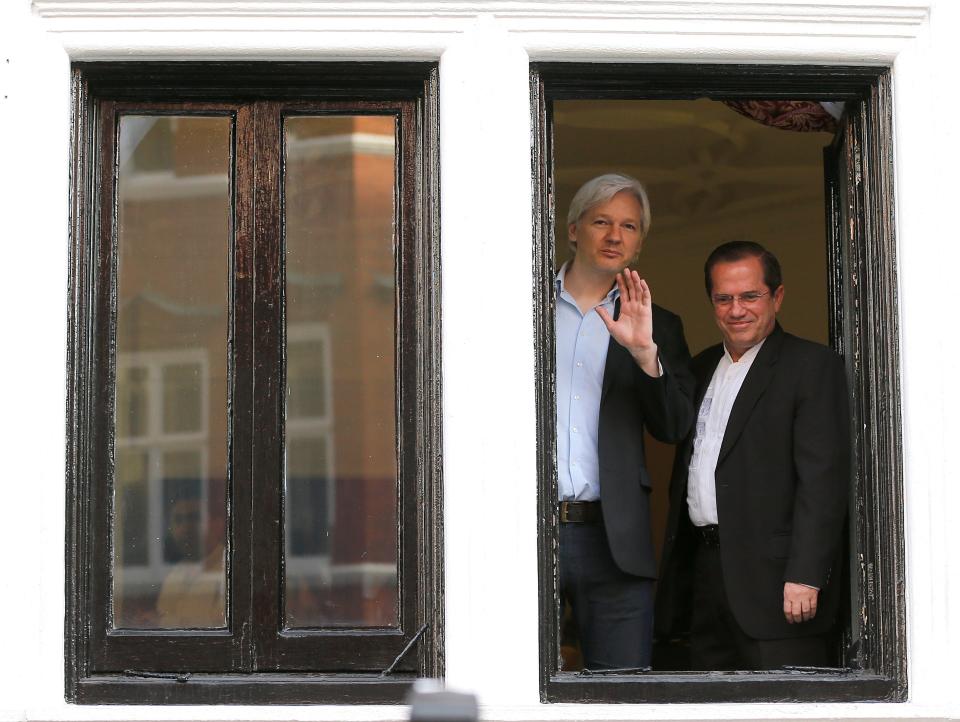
(712, 420)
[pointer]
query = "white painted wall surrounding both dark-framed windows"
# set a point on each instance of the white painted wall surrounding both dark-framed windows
(483, 49)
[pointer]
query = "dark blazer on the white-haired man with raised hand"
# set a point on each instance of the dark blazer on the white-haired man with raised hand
(629, 402)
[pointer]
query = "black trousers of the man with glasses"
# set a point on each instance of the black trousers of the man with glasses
(716, 639)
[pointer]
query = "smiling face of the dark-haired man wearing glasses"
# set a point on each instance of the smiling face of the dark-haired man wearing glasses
(743, 325)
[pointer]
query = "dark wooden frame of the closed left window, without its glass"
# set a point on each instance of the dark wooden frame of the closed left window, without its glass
(254, 660)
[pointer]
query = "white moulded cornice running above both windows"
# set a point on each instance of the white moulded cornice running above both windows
(422, 29)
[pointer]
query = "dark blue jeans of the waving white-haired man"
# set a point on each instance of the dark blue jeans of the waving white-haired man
(613, 610)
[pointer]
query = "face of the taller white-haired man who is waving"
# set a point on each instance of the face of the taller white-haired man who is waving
(608, 234)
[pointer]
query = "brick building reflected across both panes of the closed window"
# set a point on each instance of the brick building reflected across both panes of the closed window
(174, 225)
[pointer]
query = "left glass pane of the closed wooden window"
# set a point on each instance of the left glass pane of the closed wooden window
(174, 205)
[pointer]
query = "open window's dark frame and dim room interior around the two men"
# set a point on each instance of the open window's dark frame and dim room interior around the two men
(584, 115)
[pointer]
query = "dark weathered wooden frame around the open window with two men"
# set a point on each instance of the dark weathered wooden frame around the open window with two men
(862, 288)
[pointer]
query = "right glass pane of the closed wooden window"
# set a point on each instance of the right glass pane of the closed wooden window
(341, 470)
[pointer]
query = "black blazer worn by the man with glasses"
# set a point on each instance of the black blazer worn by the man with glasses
(783, 481)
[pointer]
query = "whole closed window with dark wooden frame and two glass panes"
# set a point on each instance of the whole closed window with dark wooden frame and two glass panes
(254, 485)
